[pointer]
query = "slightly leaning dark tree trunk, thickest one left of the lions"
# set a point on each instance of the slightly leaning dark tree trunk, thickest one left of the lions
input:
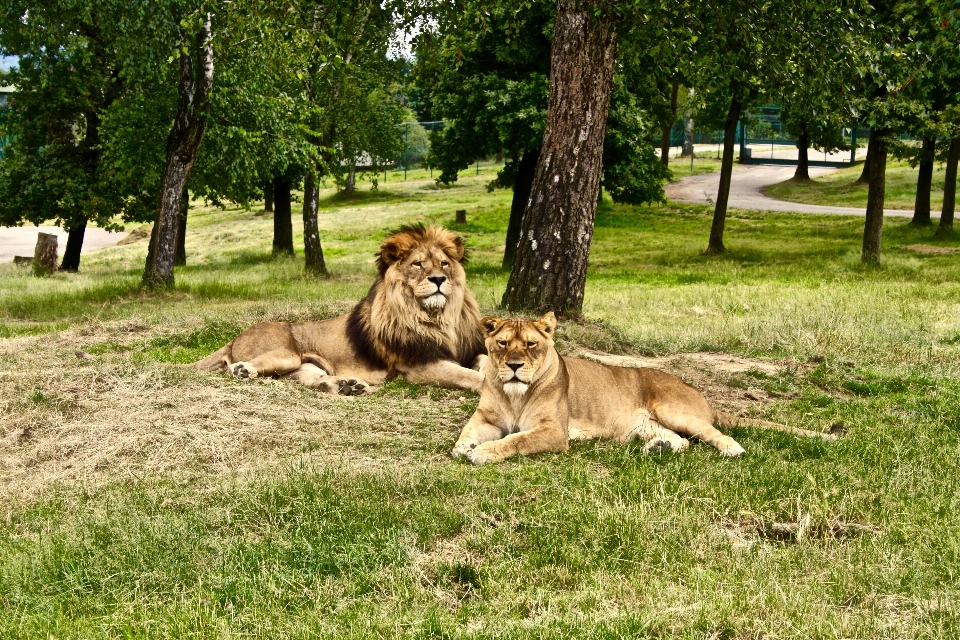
(195, 82)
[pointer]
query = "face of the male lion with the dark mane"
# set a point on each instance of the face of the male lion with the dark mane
(424, 264)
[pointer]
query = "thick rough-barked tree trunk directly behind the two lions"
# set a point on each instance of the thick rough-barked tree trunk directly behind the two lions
(550, 267)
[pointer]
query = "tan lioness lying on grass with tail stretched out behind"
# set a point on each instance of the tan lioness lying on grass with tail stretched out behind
(535, 400)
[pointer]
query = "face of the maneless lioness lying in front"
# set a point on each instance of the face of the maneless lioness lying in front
(518, 349)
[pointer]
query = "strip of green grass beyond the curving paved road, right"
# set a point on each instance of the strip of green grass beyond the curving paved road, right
(840, 189)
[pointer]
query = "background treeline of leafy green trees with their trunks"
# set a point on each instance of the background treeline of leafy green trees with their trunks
(124, 107)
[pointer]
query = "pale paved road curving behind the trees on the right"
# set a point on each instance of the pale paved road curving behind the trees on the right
(745, 190)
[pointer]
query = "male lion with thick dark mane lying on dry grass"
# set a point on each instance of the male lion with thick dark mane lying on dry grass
(418, 321)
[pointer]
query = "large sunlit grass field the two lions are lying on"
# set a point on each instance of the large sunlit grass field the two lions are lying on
(139, 498)
